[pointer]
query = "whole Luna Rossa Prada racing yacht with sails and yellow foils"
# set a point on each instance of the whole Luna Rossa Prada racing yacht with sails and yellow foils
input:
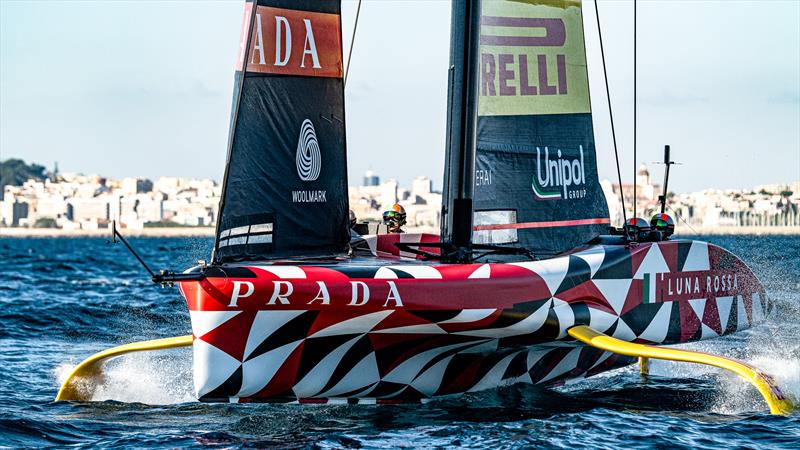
(527, 283)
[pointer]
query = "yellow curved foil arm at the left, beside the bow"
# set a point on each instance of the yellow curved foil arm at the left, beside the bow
(84, 379)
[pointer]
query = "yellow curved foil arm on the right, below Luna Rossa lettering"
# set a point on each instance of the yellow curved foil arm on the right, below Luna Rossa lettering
(778, 403)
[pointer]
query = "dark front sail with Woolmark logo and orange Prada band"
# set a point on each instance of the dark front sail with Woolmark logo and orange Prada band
(285, 186)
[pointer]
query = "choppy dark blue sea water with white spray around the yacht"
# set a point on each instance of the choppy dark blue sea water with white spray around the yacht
(63, 299)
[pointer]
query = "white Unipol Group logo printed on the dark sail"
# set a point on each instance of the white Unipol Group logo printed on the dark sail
(559, 178)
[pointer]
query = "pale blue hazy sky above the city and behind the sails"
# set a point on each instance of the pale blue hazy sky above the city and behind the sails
(144, 88)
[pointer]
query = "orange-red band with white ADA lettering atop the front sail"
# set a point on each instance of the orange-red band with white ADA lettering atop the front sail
(291, 42)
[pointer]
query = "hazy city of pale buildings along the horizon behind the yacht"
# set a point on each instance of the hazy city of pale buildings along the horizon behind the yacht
(78, 202)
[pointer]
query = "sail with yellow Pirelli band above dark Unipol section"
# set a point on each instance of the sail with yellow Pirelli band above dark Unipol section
(536, 180)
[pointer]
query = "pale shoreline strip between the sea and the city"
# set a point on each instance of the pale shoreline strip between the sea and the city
(209, 232)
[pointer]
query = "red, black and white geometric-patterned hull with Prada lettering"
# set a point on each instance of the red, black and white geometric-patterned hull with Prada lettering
(387, 330)
